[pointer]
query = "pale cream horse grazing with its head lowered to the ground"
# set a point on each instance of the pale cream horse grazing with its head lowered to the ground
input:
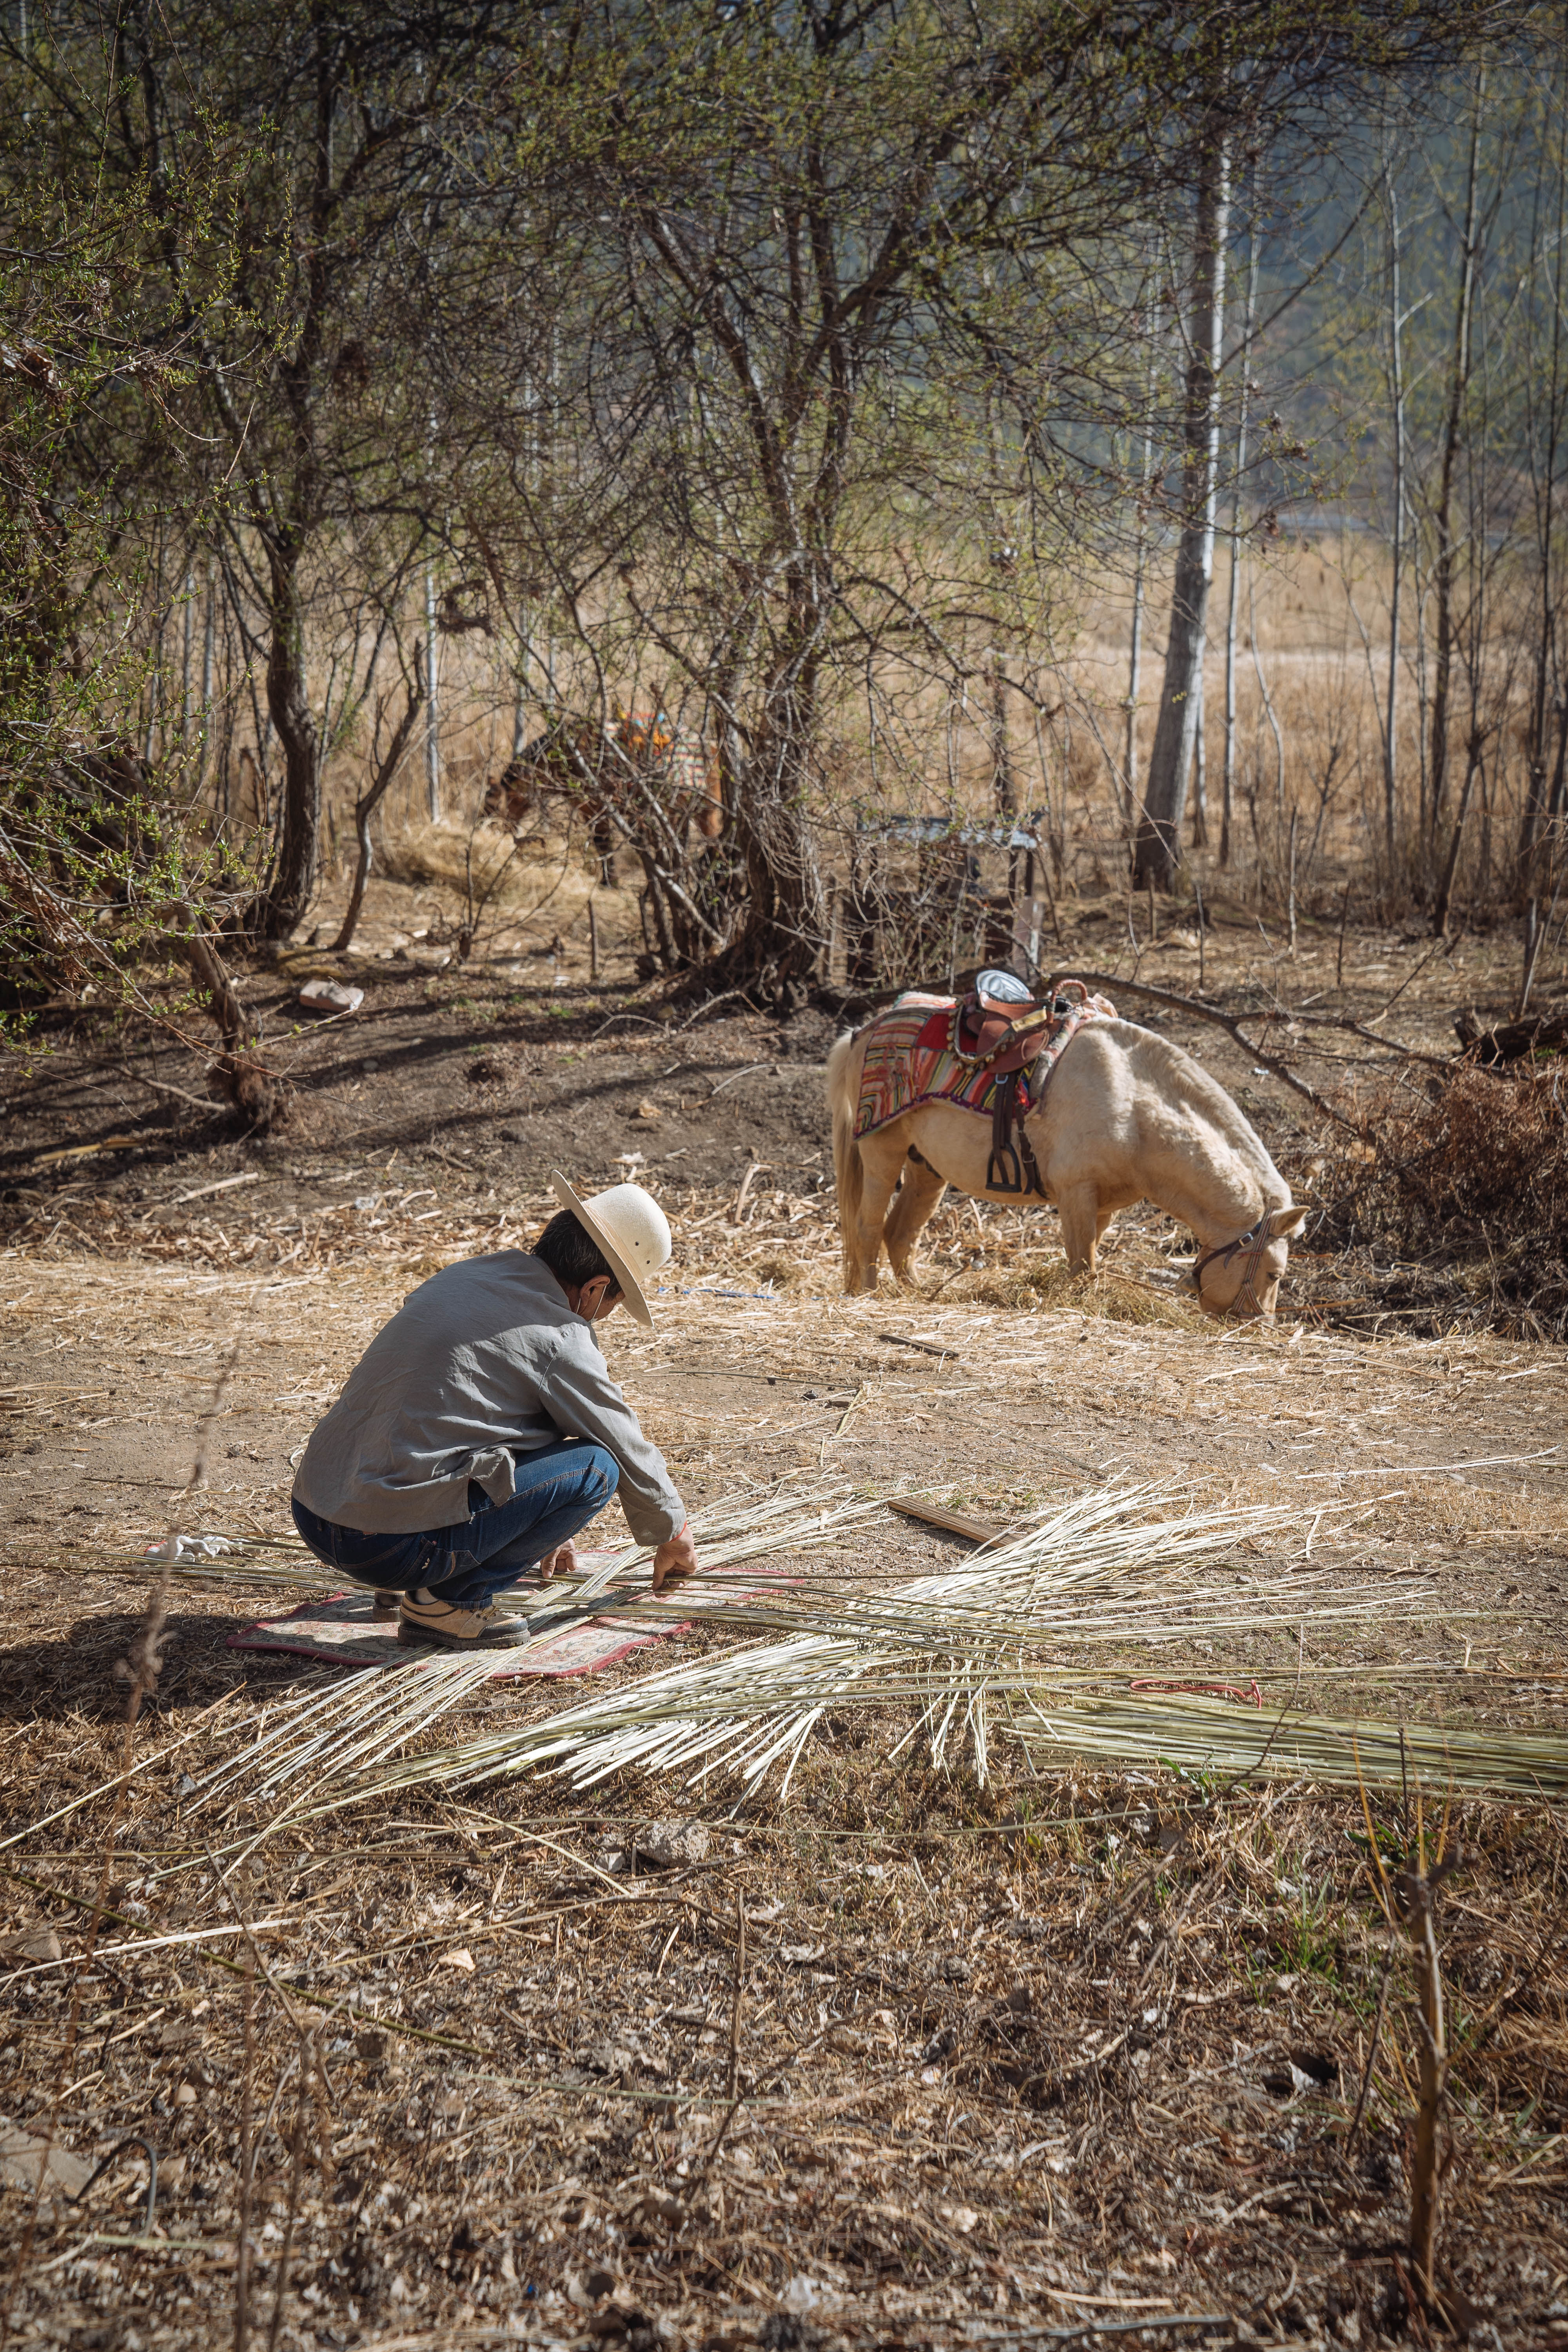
(1127, 1116)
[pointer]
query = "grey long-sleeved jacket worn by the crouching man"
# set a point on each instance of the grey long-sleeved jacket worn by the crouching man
(481, 1363)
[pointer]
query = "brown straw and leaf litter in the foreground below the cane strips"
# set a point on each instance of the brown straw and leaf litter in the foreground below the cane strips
(970, 2069)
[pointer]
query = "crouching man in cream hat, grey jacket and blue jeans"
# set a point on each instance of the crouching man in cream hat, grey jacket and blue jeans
(481, 1429)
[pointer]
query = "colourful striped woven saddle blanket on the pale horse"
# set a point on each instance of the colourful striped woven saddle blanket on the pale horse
(946, 1050)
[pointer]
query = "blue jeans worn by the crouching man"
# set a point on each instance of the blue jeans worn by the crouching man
(556, 1490)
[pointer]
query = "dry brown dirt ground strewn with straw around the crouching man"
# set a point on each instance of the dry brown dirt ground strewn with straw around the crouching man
(1043, 2057)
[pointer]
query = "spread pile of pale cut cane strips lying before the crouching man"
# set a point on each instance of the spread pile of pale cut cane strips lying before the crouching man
(974, 1652)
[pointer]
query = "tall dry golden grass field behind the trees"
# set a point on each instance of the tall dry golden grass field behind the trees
(1311, 686)
